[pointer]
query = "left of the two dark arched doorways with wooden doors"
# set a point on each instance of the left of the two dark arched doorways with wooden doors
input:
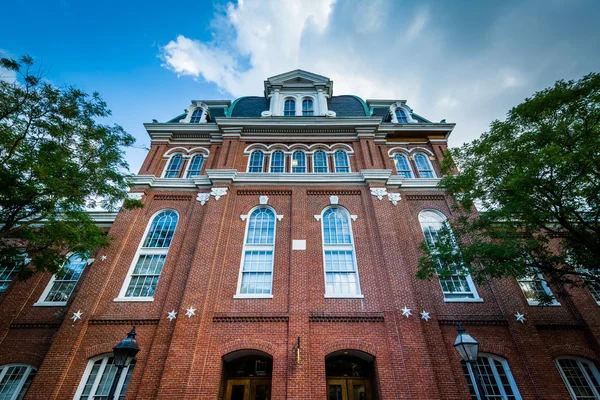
(247, 375)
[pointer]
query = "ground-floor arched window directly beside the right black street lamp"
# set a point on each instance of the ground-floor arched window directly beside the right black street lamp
(495, 375)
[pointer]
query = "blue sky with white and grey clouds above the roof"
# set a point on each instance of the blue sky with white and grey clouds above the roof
(464, 61)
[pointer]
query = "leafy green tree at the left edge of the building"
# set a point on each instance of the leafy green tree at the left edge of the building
(56, 160)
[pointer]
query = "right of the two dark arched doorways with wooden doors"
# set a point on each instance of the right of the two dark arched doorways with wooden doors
(349, 375)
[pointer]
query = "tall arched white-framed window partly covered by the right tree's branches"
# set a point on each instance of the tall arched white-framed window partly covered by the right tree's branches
(457, 287)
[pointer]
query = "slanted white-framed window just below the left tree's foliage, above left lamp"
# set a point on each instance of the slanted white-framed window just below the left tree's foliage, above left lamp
(61, 285)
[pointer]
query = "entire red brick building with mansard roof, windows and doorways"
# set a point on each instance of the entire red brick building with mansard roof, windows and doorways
(275, 258)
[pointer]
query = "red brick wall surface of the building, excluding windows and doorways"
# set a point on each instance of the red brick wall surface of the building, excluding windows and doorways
(183, 358)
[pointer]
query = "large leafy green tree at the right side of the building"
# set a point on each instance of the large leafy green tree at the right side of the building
(535, 178)
